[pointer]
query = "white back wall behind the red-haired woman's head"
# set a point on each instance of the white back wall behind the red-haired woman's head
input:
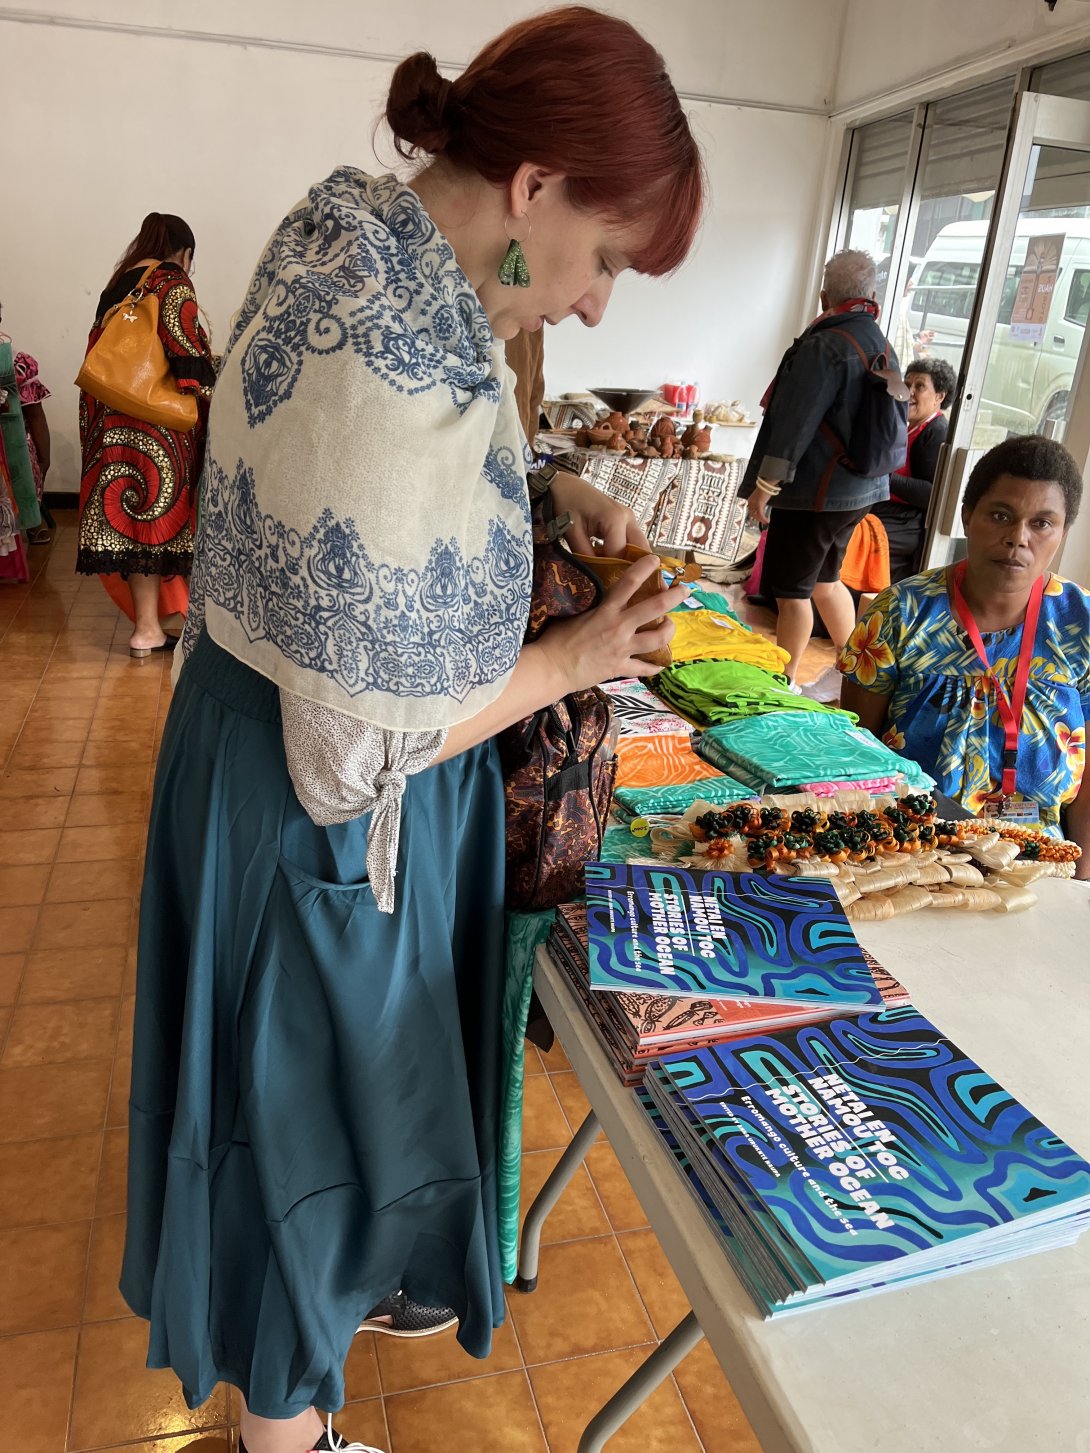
(161, 107)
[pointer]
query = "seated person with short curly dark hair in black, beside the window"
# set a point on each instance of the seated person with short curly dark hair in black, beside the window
(931, 384)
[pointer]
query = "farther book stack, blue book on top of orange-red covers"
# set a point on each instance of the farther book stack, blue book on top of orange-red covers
(643, 1009)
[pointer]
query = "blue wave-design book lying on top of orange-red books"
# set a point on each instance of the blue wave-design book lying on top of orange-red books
(707, 935)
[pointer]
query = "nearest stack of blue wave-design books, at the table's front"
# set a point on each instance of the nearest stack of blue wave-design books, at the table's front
(870, 1150)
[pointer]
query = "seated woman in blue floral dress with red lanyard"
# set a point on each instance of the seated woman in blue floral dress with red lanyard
(940, 669)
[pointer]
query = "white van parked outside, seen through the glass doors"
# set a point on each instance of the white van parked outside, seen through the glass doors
(1028, 381)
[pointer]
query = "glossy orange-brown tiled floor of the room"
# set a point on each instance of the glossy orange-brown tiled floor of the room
(79, 729)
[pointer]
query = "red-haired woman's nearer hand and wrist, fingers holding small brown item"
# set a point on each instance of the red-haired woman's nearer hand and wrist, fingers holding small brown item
(605, 643)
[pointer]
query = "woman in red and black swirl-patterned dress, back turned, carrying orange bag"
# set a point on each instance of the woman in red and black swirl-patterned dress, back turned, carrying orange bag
(139, 486)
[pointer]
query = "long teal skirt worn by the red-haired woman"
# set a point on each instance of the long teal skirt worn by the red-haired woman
(315, 1108)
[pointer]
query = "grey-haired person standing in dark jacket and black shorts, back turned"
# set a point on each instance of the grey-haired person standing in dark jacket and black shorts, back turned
(797, 480)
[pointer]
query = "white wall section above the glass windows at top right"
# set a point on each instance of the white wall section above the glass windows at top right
(890, 43)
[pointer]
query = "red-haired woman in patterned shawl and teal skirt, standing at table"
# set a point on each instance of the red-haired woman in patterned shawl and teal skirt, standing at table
(315, 1117)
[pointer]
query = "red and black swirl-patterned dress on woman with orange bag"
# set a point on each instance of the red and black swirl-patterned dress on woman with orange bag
(139, 487)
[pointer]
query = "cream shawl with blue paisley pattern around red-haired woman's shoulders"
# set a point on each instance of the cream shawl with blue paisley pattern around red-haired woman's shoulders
(364, 517)
